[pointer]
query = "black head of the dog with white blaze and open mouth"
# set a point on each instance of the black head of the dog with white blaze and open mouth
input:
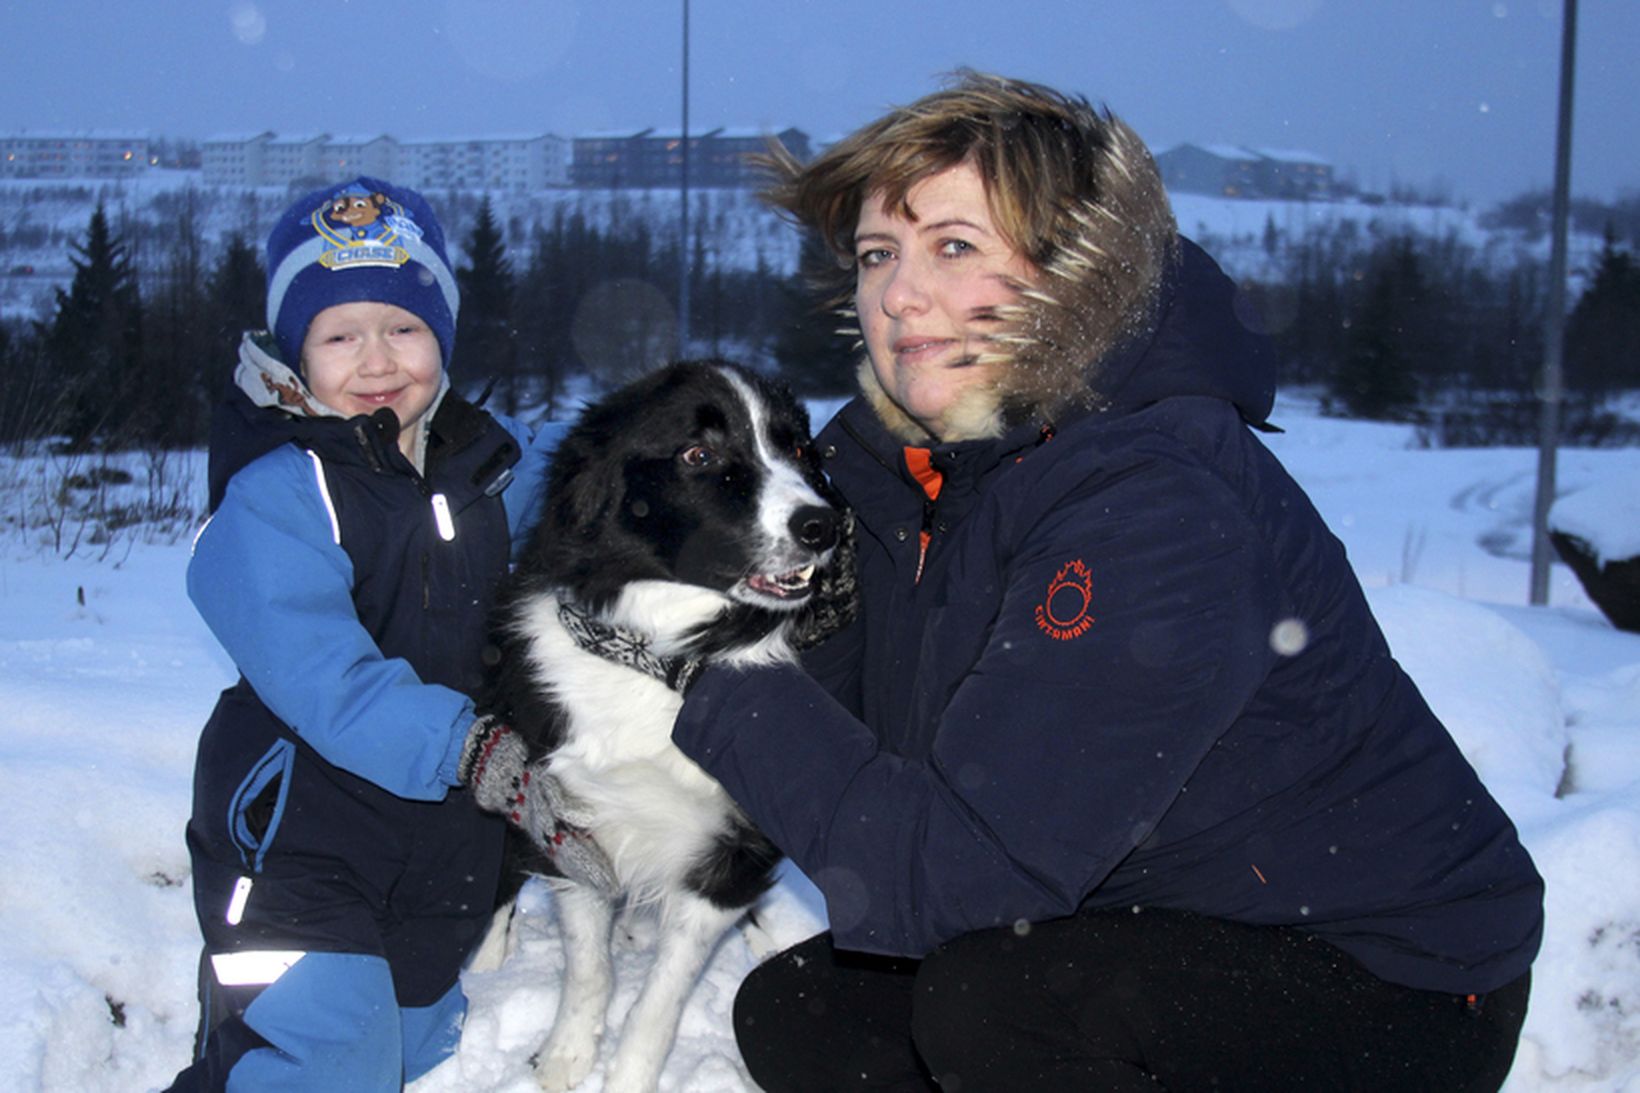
(699, 475)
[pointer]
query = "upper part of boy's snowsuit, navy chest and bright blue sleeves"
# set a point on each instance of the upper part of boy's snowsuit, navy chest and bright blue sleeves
(367, 644)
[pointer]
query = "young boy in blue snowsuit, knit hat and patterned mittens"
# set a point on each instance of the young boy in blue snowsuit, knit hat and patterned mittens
(362, 516)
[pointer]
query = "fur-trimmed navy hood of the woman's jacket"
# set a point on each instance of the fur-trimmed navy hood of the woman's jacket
(1126, 313)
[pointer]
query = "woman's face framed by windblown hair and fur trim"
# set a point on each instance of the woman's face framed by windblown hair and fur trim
(927, 290)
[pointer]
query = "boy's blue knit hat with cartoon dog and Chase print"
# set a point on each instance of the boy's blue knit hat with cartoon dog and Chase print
(365, 240)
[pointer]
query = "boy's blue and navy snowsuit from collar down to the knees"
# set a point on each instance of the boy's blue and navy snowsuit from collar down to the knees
(352, 592)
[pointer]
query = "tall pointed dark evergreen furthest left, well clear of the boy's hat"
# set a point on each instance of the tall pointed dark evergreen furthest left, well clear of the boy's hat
(94, 342)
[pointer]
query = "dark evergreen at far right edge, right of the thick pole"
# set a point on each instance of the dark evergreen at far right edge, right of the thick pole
(1603, 332)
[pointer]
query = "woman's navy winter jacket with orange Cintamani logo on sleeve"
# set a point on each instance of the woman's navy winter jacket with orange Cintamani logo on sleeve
(1136, 670)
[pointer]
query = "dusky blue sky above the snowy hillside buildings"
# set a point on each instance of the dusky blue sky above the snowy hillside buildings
(1446, 93)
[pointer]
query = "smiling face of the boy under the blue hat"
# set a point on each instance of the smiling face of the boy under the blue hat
(362, 357)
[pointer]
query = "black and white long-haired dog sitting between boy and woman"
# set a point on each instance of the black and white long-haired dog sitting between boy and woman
(685, 524)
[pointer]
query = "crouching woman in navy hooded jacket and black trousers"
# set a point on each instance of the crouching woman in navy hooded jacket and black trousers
(1114, 782)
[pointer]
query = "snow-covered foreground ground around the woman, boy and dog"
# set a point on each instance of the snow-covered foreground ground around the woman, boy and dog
(106, 677)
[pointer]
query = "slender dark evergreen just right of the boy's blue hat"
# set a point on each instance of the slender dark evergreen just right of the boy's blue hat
(486, 341)
